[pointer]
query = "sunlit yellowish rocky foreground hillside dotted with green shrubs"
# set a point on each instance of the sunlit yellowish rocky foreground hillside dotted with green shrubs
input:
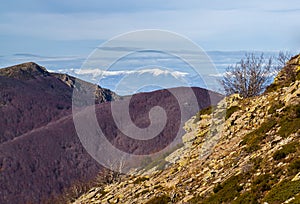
(240, 151)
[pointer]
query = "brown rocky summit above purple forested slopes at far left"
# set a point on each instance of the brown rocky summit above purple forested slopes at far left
(28, 70)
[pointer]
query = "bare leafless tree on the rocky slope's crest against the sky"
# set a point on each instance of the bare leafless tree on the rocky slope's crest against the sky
(249, 77)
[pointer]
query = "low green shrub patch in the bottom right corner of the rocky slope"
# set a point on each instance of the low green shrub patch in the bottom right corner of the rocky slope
(283, 191)
